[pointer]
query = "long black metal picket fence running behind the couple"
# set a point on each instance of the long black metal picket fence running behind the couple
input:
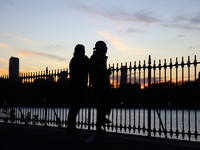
(147, 98)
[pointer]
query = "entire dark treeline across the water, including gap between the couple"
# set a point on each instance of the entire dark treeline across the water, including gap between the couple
(43, 93)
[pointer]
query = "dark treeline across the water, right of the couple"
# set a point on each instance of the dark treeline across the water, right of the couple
(160, 95)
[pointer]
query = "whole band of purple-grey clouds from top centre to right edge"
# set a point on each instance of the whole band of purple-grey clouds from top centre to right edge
(121, 13)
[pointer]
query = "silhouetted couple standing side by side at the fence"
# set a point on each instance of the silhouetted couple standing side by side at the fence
(80, 66)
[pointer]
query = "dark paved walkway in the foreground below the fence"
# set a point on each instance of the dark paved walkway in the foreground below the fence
(21, 137)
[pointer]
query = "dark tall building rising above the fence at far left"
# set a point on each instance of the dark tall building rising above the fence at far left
(13, 67)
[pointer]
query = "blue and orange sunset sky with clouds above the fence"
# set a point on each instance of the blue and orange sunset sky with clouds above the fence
(43, 33)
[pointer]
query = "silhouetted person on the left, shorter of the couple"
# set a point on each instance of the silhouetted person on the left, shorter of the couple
(79, 66)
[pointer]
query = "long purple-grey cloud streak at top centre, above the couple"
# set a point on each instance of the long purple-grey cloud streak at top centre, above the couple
(120, 13)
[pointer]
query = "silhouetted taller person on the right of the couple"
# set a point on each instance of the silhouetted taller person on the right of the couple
(99, 76)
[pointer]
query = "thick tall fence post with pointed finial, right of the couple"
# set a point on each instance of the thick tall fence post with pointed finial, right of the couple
(149, 97)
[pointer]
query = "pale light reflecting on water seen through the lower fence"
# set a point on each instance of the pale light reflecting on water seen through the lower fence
(181, 120)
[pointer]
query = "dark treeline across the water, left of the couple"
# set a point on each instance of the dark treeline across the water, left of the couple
(36, 94)
